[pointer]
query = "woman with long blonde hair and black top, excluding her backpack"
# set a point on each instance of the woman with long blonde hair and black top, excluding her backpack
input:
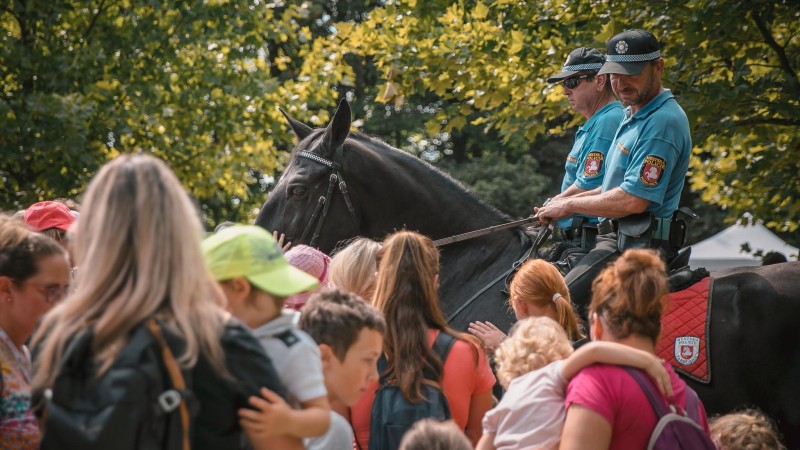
(138, 244)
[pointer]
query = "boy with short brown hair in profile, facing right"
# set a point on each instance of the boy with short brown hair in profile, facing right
(349, 332)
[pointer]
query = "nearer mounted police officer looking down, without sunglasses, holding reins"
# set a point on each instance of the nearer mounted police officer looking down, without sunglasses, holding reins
(647, 162)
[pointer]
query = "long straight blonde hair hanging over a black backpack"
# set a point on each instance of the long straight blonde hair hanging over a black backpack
(138, 247)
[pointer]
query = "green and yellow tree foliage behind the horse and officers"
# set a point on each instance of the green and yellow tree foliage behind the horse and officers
(198, 83)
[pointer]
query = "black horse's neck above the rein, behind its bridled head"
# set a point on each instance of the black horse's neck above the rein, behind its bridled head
(417, 197)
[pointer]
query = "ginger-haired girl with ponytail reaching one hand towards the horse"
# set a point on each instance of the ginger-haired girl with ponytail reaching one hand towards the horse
(537, 290)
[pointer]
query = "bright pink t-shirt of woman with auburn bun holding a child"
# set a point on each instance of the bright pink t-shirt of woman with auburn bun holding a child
(613, 393)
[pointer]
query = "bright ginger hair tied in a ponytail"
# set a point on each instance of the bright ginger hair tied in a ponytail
(539, 283)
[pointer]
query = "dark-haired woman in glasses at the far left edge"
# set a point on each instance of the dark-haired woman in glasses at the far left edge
(34, 275)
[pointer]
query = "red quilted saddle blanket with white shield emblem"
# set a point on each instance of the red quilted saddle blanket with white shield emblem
(684, 336)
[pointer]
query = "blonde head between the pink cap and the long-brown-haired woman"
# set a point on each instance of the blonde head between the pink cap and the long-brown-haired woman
(355, 267)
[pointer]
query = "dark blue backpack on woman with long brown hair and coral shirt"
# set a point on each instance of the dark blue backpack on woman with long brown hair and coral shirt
(392, 415)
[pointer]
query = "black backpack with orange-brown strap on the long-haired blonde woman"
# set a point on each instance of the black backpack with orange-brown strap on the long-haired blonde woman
(140, 402)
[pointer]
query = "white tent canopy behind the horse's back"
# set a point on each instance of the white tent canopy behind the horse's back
(724, 249)
